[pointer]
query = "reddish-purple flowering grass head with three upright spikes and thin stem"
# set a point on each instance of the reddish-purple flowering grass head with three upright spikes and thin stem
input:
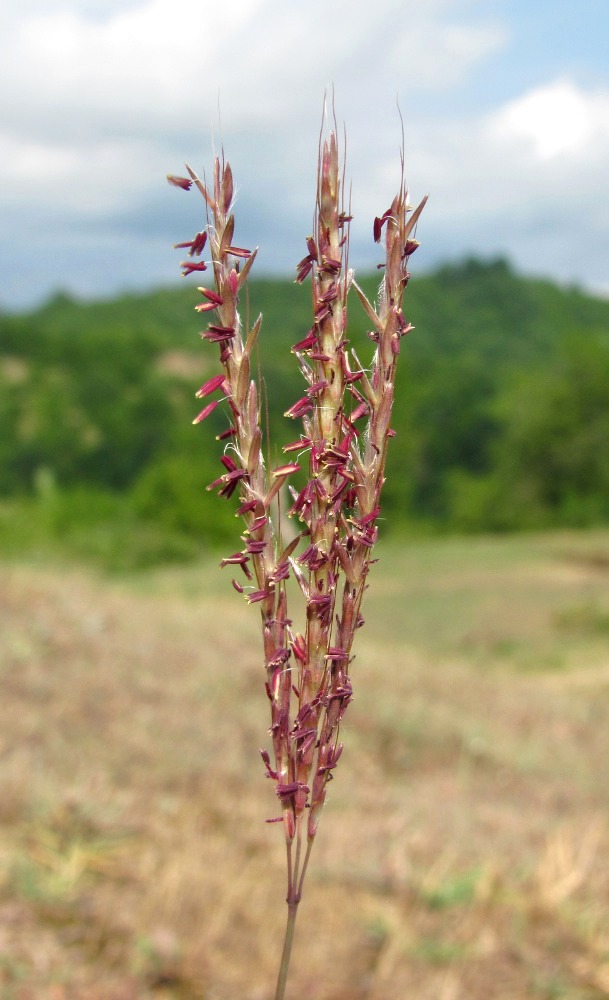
(345, 418)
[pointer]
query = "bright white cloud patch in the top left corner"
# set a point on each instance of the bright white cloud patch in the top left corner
(146, 66)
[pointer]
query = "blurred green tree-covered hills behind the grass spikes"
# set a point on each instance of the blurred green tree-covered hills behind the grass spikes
(502, 415)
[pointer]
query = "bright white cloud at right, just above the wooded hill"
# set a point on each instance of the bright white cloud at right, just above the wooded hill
(547, 147)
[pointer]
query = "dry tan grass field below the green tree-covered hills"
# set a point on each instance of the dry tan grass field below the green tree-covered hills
(464, 850)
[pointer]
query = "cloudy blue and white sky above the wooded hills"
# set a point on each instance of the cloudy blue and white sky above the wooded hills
(505, 106)
